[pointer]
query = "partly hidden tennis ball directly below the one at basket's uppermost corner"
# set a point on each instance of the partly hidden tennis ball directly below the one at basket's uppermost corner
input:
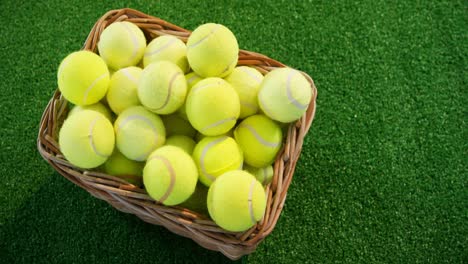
(123, 86)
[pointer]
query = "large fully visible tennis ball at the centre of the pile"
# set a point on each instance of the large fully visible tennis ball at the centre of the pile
(212, 106)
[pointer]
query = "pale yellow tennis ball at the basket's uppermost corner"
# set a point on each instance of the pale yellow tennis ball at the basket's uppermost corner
(121, 45)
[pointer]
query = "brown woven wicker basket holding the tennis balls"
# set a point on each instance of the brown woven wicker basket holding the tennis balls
(131, 199)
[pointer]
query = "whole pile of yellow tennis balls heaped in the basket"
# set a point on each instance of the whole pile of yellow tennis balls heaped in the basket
(180, 118)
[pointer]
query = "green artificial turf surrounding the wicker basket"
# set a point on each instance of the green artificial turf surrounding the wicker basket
(383, 173)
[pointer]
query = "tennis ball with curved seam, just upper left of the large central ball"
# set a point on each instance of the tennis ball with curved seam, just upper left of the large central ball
(162, 88)
